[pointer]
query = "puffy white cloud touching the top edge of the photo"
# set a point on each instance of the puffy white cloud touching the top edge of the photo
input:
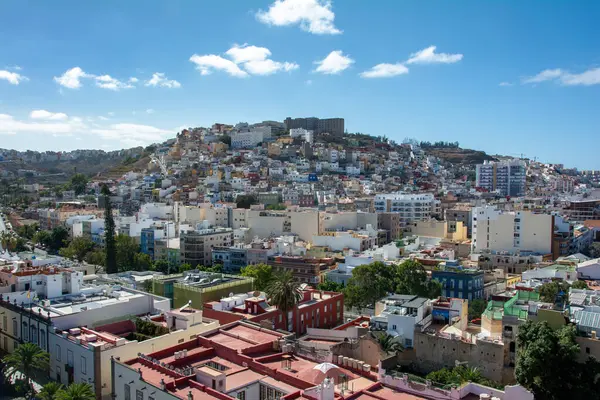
(314, 16)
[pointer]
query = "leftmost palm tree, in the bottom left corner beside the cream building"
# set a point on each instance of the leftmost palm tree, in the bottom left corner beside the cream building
(27, 359)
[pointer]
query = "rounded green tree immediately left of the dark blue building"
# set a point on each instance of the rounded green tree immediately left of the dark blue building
(411, 278)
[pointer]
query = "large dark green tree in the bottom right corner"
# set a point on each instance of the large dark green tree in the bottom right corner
(543, 354)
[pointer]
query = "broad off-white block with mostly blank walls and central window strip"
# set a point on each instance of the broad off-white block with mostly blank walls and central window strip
(511, 232)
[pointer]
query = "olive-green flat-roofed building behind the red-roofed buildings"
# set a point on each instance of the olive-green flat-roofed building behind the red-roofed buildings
(199, 287)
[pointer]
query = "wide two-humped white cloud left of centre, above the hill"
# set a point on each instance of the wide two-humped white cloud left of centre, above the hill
(245, 59)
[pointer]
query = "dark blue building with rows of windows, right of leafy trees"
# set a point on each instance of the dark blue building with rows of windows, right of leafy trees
(459, 282)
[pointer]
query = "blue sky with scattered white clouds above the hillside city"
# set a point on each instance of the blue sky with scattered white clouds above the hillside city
(506, 77)
